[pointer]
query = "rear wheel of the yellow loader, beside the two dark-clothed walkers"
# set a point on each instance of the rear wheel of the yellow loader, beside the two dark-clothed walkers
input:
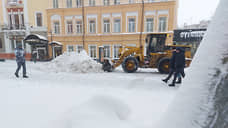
(163, 66)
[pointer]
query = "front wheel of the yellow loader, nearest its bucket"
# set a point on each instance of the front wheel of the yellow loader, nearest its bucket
(130, 64)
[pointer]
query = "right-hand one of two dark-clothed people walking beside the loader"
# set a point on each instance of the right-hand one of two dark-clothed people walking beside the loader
(179, 64)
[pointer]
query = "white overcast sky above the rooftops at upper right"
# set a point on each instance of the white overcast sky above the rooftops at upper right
(192, 11)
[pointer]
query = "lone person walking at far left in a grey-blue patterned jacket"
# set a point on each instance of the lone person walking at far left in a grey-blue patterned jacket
(20, 59)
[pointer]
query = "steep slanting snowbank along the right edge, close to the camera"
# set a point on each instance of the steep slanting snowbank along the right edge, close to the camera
(193, 104)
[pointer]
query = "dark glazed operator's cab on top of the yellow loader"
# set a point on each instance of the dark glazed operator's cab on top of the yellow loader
(155, 43)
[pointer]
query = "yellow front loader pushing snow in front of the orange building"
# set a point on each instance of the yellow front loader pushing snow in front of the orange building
(157, 55)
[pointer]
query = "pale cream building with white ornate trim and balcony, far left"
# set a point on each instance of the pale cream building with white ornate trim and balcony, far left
(18, 19)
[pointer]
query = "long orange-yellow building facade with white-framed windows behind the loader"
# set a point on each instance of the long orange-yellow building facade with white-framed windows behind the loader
(108, 23)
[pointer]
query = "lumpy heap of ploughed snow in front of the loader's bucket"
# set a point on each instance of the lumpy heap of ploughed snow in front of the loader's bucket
(74, 62)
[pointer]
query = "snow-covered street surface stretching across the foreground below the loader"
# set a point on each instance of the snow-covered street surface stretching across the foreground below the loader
(81, 100)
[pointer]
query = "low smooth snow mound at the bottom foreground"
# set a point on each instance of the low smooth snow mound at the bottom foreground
(97, 112)
